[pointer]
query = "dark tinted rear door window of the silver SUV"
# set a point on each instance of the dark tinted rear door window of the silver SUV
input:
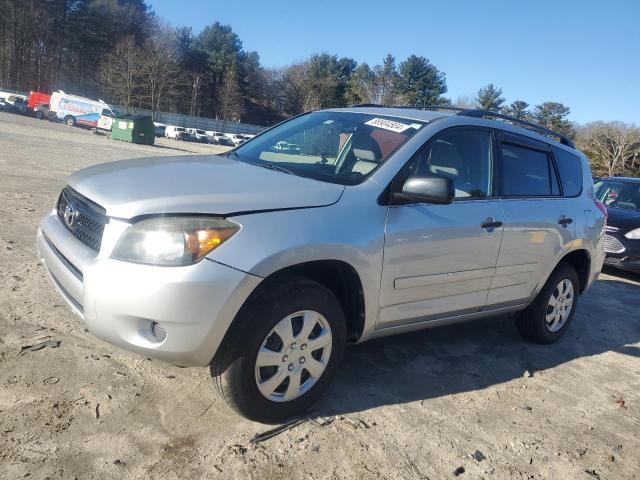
(527, 172)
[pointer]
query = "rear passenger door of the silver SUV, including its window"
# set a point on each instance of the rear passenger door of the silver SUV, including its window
(538, 221)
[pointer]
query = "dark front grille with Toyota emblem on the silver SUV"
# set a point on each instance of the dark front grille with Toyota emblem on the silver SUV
(83, 218)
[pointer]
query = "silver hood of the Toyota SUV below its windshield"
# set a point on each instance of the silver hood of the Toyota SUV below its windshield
(196, 184)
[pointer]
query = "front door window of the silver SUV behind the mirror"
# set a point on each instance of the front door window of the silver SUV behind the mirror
(463, 155)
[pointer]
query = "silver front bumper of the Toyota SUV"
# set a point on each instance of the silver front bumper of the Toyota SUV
(118, 301)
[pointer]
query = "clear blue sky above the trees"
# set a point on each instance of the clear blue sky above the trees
(585, 54)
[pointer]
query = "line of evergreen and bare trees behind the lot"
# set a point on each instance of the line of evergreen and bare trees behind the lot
(119, 50)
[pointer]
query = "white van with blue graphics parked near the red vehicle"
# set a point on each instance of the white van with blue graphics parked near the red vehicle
(72, 110)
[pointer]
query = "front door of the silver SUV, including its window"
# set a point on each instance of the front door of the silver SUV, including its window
(439, 260)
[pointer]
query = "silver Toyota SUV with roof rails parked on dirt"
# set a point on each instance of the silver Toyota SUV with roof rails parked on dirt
(264, 263)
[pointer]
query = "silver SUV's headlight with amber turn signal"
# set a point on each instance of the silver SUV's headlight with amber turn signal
(173, 241)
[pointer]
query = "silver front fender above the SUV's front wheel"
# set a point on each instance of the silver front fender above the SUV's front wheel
(351, 231)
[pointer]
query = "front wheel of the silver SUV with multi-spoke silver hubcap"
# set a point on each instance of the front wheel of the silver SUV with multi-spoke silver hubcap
(234, 370)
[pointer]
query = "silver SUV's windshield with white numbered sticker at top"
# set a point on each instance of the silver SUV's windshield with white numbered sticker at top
(336, 147)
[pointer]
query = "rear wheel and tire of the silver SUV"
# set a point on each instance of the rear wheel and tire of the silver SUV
(538, 322)
